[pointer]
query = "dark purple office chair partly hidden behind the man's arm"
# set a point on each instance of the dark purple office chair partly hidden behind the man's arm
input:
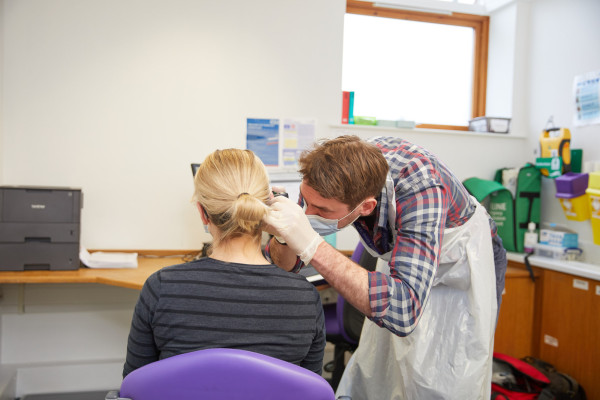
(343, 322)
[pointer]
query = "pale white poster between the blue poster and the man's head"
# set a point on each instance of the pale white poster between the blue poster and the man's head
(298, 135)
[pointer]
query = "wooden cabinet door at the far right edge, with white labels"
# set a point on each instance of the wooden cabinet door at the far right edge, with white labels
(569, 328)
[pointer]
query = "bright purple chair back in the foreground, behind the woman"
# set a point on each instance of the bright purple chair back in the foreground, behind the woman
(215, 374)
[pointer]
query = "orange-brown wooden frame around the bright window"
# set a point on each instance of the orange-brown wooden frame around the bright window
(480, 25)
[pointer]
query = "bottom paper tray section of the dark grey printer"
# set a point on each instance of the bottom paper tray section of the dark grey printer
(39, 256)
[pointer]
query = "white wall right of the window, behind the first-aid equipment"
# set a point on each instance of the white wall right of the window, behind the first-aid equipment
(564, 43)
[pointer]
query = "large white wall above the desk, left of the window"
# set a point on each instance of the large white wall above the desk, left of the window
(119, 97)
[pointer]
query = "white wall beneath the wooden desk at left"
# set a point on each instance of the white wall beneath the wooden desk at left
(64, 337)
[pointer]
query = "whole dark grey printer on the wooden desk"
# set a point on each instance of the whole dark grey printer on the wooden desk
(39, 228)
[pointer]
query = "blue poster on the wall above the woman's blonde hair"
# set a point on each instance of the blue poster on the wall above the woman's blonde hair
(262, 137)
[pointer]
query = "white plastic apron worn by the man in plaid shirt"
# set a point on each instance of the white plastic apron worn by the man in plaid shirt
(449, 354)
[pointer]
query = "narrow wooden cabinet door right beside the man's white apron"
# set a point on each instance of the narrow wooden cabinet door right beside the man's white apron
(514, 332)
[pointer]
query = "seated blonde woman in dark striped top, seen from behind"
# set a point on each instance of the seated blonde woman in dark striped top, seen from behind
(233, 298)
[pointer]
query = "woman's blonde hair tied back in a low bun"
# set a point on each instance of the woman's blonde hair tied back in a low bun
(232, 186)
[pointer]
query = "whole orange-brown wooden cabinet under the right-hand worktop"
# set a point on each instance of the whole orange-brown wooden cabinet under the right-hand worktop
(556, 319)
